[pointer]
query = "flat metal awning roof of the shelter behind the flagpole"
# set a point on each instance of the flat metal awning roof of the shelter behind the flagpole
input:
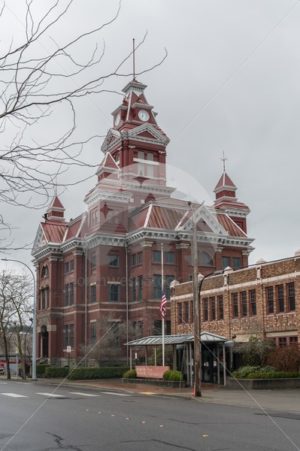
(156, 340)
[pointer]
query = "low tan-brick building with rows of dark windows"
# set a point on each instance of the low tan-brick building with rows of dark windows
(262, 300)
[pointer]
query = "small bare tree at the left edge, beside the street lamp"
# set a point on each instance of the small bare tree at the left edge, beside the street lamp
(15, 311)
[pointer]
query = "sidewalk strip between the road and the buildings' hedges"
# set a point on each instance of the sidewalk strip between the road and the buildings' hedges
(269, 400)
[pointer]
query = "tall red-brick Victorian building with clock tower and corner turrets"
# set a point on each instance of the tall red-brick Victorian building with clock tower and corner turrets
(101, 272)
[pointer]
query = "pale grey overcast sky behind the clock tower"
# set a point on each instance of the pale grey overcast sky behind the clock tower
(230, 83)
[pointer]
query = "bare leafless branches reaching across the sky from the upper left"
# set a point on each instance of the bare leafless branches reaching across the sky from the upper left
(39, 79)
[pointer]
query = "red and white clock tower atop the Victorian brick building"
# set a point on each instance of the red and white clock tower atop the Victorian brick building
(138, 146)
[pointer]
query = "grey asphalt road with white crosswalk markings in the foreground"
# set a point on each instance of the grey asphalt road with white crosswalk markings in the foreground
(39, 417)
